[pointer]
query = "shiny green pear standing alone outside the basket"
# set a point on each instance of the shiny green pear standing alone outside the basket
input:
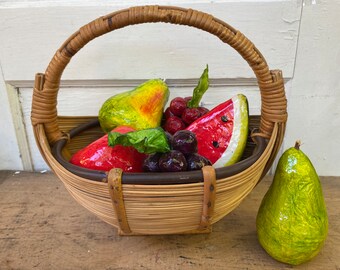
(292, 222)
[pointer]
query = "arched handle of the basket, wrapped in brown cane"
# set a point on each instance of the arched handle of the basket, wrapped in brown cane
(44, 111)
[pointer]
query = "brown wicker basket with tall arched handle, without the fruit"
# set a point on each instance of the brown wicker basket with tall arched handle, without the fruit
(157, 203)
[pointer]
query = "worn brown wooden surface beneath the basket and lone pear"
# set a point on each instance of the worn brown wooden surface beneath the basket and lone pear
(42, 227)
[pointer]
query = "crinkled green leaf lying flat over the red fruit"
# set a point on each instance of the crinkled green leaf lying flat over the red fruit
(148, 141)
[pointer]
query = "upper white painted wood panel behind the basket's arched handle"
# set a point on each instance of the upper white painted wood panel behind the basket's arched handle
(147, 51)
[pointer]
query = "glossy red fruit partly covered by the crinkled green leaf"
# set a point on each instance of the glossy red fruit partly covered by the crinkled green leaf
(100, 156)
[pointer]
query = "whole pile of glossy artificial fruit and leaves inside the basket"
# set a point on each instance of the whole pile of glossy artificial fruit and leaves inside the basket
(143, 135)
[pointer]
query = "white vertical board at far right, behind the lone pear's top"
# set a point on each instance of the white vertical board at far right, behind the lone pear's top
(314, 103)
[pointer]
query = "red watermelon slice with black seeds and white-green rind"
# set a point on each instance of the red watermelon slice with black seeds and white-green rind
(222, 133)
